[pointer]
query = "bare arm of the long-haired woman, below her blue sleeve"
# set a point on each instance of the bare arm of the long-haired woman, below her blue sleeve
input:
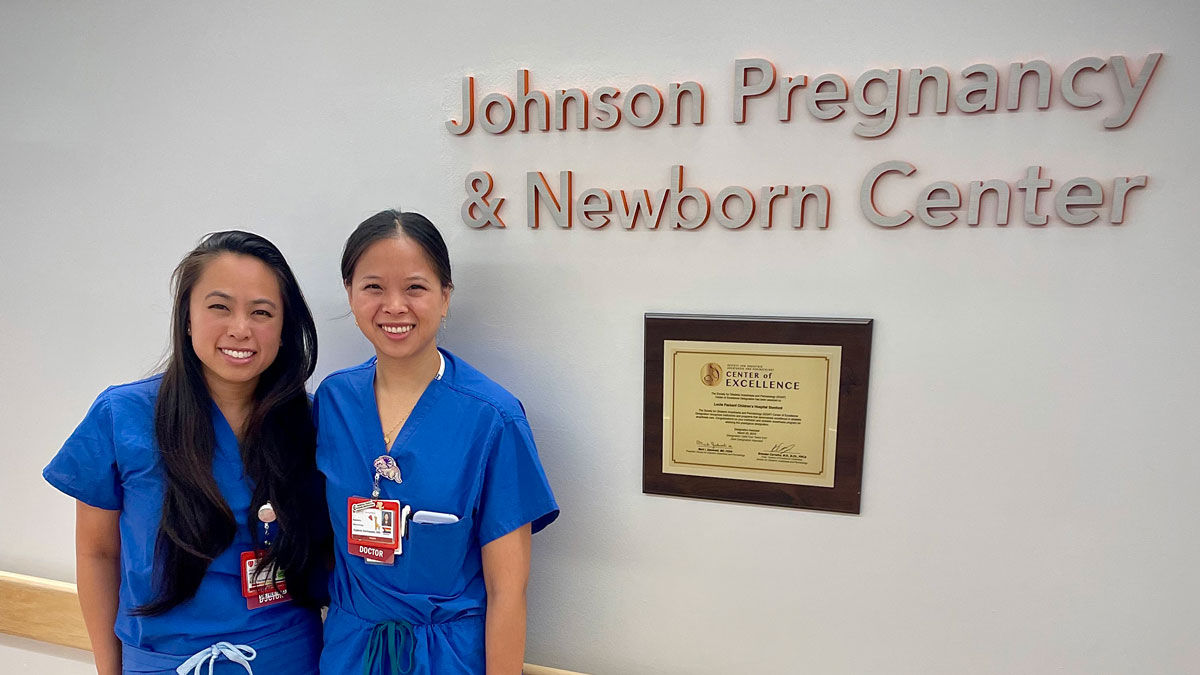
(99, 577)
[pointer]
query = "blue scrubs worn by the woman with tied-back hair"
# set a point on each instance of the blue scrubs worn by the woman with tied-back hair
(466, 450)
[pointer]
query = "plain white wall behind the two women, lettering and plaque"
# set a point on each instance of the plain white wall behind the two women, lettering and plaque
(1028, 497)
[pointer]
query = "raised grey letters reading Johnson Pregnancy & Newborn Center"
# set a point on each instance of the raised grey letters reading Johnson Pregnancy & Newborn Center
(879, 97)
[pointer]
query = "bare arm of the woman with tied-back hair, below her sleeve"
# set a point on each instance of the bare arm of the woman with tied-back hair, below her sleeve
(507, 576)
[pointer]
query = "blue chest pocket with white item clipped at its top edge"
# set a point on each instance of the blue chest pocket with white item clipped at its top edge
(439, 561)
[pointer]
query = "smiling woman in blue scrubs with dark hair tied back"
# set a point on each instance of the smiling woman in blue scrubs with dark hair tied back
(433, 479)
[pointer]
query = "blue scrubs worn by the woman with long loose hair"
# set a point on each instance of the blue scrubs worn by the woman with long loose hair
(112, 462)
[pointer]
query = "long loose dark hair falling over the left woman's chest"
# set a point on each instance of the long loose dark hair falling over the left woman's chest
(278, 447)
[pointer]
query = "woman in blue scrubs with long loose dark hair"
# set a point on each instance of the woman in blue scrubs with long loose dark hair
(201, 542)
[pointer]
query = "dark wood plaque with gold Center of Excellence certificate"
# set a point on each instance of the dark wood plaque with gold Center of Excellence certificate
(757, 410)
